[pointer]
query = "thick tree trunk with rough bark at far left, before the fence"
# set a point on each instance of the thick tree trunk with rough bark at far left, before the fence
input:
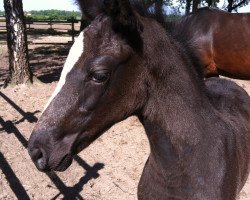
(19, 69)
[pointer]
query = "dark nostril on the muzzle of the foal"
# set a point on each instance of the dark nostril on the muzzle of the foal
(39, 158)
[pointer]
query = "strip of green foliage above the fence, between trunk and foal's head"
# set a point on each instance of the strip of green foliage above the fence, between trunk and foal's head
(53, 15)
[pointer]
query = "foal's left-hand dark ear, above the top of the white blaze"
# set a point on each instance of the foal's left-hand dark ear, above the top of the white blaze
(91, 8)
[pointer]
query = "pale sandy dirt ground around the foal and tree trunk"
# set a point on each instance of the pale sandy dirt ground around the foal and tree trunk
(108, 169)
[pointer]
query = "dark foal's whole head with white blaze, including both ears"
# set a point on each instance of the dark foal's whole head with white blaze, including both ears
(103, 82)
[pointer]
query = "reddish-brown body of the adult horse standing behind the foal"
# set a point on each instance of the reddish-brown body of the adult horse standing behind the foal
(220, 41)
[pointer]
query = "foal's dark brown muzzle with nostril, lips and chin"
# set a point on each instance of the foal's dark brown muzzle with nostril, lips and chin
(49, 154)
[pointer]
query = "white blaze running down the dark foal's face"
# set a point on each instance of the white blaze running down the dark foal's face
(74, 55)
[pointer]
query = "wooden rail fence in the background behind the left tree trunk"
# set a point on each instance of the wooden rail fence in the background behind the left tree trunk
(50, 27)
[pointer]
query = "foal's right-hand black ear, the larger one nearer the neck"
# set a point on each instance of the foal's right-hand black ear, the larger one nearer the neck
(125, 22)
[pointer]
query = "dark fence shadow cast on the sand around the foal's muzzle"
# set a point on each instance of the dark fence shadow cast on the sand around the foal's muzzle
(8, 127)
